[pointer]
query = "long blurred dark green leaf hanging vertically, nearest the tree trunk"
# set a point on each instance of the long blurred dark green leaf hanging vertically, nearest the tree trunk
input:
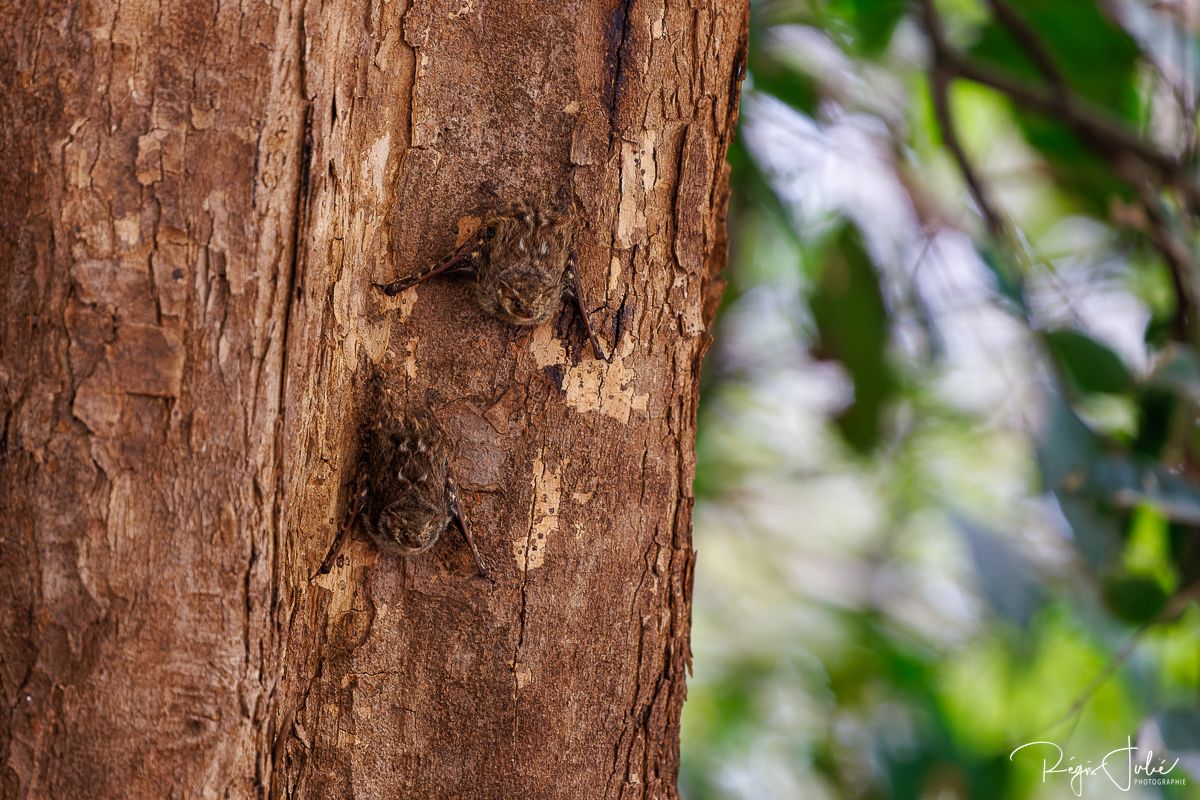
(854, 328)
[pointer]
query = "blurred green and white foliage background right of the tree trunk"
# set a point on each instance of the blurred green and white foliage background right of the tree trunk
(949, 459)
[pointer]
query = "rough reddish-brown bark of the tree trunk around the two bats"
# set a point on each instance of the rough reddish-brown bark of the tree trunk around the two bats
(197, 197)
